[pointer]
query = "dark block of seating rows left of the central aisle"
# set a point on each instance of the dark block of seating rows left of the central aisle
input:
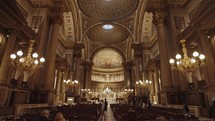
(79, 112)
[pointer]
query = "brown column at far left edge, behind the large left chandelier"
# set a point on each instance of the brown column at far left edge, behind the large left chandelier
(4, 68)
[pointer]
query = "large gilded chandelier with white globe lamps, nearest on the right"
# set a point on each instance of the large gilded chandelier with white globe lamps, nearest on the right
(187, 63)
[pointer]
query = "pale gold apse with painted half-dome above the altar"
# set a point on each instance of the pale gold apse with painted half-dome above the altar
(107, 66)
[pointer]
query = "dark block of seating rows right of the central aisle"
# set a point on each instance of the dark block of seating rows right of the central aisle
(124, 112)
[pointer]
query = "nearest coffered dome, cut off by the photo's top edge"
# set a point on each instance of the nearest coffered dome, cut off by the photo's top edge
(108, 10)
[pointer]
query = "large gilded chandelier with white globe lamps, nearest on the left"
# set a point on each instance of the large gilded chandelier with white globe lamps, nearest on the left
(30, 62)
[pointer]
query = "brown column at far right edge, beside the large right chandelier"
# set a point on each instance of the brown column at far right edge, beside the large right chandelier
(210, 64)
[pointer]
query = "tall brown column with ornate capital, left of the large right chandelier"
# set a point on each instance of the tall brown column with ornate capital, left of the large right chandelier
(160, 20)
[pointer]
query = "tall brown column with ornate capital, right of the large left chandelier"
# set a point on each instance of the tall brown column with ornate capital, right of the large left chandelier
(56, 19)
